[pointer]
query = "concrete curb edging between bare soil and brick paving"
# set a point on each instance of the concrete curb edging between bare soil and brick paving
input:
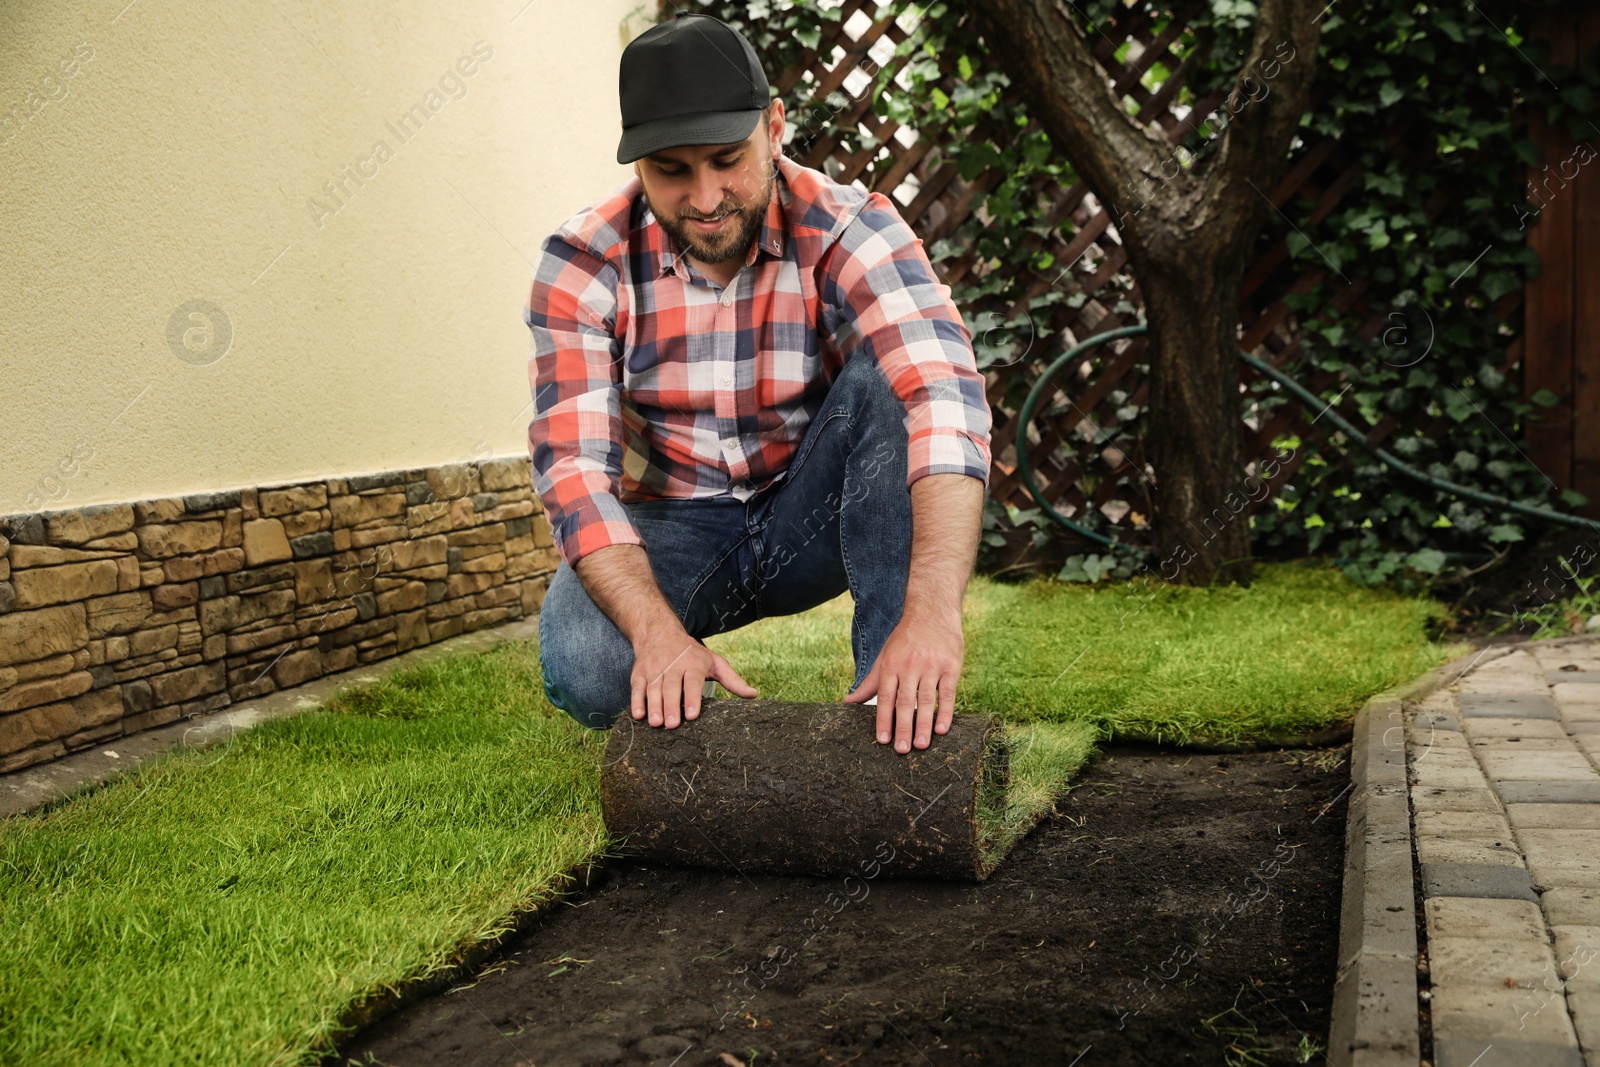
(1375, 996)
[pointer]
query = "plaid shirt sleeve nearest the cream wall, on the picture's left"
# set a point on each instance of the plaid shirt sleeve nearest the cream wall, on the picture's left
(575, 439)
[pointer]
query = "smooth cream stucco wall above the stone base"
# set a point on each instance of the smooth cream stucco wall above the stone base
(162, 153)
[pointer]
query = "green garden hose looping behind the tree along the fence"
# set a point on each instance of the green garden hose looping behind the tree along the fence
(1300, 393)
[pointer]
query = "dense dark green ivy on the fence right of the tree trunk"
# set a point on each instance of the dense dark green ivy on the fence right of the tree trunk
(1431, 103)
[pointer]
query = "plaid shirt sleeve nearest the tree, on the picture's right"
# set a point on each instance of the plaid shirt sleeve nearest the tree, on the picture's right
(886, 297)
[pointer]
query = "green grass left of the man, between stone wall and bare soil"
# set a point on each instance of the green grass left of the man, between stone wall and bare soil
(228, 906)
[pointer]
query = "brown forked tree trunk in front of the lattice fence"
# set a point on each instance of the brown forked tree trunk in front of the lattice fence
(1190, 230)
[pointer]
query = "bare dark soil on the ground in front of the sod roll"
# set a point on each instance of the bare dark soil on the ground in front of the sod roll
(1177, 909)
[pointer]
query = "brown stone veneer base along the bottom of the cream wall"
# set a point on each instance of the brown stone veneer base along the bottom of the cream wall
(124, 617)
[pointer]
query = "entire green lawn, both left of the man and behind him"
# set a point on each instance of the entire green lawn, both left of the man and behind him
(230, 906)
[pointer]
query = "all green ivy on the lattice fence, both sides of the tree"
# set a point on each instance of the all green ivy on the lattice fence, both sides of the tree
(1430, 105)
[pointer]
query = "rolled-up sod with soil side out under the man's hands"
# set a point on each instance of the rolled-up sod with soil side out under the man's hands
(802, 789)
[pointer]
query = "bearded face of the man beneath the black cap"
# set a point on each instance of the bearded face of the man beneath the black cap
(713, 198)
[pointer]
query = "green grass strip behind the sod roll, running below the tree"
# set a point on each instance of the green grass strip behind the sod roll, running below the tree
(1282, 661)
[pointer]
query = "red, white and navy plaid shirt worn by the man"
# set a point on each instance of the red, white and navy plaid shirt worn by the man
(650, 382)
